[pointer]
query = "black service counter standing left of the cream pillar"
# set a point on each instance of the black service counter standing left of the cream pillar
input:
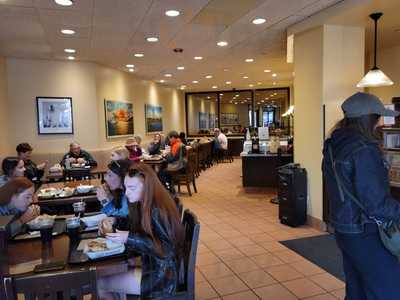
(260, 170)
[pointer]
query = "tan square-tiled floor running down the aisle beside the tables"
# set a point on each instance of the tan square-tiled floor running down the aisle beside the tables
(239, 256)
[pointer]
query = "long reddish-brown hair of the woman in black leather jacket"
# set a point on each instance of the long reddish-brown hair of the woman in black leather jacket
(156, 196)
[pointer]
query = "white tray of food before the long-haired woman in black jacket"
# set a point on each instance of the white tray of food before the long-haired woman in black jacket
(101, 247)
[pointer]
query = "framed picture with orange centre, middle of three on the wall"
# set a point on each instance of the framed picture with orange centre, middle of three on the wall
(119, 118)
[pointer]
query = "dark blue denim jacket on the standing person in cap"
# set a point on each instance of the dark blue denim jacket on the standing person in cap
(363, 171)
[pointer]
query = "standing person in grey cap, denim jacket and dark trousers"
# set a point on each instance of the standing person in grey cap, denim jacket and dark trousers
(354, 168)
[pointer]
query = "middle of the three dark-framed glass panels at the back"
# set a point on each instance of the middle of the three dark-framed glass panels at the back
(235, 111)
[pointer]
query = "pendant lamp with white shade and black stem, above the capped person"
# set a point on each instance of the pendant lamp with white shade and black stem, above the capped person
(375, 77)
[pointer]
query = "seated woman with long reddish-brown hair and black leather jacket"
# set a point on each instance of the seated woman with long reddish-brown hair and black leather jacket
(157, 236)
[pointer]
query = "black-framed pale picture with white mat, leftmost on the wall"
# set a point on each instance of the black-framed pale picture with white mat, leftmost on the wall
(54, 115)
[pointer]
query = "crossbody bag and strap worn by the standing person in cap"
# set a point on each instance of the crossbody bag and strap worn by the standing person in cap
(389, 231)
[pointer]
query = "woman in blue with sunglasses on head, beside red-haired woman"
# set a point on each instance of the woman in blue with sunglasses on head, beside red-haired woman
(111, 193)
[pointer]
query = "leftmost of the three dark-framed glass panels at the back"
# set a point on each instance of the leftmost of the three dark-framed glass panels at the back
(201, 113)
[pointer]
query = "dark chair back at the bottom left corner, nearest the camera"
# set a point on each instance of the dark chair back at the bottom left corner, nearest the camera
(53, 286)
